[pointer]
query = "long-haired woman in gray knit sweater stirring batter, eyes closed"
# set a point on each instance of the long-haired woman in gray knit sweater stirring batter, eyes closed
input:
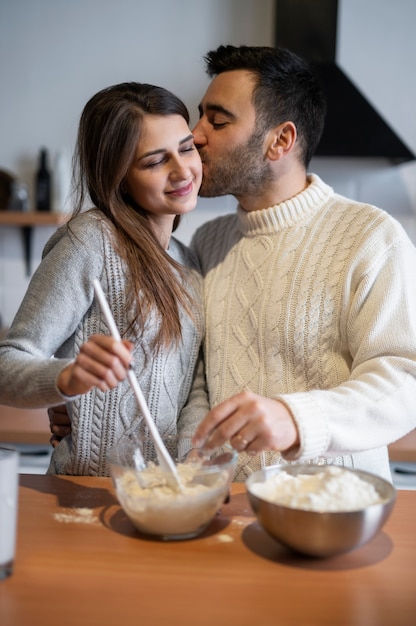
(137, 165)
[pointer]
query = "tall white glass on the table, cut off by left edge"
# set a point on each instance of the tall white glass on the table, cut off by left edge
(9, 480)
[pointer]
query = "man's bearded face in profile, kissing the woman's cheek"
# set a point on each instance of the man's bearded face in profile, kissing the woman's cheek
(230, 145)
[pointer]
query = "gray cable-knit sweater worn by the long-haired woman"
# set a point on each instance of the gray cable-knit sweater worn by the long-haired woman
(59, 313)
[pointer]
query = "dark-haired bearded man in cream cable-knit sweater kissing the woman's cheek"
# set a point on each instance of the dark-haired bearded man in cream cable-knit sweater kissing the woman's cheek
(310, 297)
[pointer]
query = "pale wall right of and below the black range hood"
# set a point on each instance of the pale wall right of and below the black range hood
(376, 48)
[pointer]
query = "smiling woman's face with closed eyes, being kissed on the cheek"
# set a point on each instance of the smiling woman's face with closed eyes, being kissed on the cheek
(166, 173)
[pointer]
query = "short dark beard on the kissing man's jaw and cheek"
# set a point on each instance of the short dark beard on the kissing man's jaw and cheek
(240, 171)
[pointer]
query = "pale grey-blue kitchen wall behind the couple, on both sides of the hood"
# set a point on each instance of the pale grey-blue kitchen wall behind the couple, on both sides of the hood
(55, 54)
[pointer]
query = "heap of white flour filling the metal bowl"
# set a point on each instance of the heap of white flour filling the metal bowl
(333, 489)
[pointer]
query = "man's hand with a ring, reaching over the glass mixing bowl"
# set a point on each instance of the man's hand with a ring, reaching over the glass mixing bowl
(250, 422)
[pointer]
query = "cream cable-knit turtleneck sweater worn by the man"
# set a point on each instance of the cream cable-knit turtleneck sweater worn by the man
(313, 302)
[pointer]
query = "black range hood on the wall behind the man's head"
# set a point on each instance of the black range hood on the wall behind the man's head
(353, 128)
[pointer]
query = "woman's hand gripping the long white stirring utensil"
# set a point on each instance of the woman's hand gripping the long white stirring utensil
(102, 362)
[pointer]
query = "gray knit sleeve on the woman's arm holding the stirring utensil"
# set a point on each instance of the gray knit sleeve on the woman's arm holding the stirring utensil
(59, 295)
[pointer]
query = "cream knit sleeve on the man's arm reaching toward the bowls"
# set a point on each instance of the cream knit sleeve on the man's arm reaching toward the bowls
(376, 404)
